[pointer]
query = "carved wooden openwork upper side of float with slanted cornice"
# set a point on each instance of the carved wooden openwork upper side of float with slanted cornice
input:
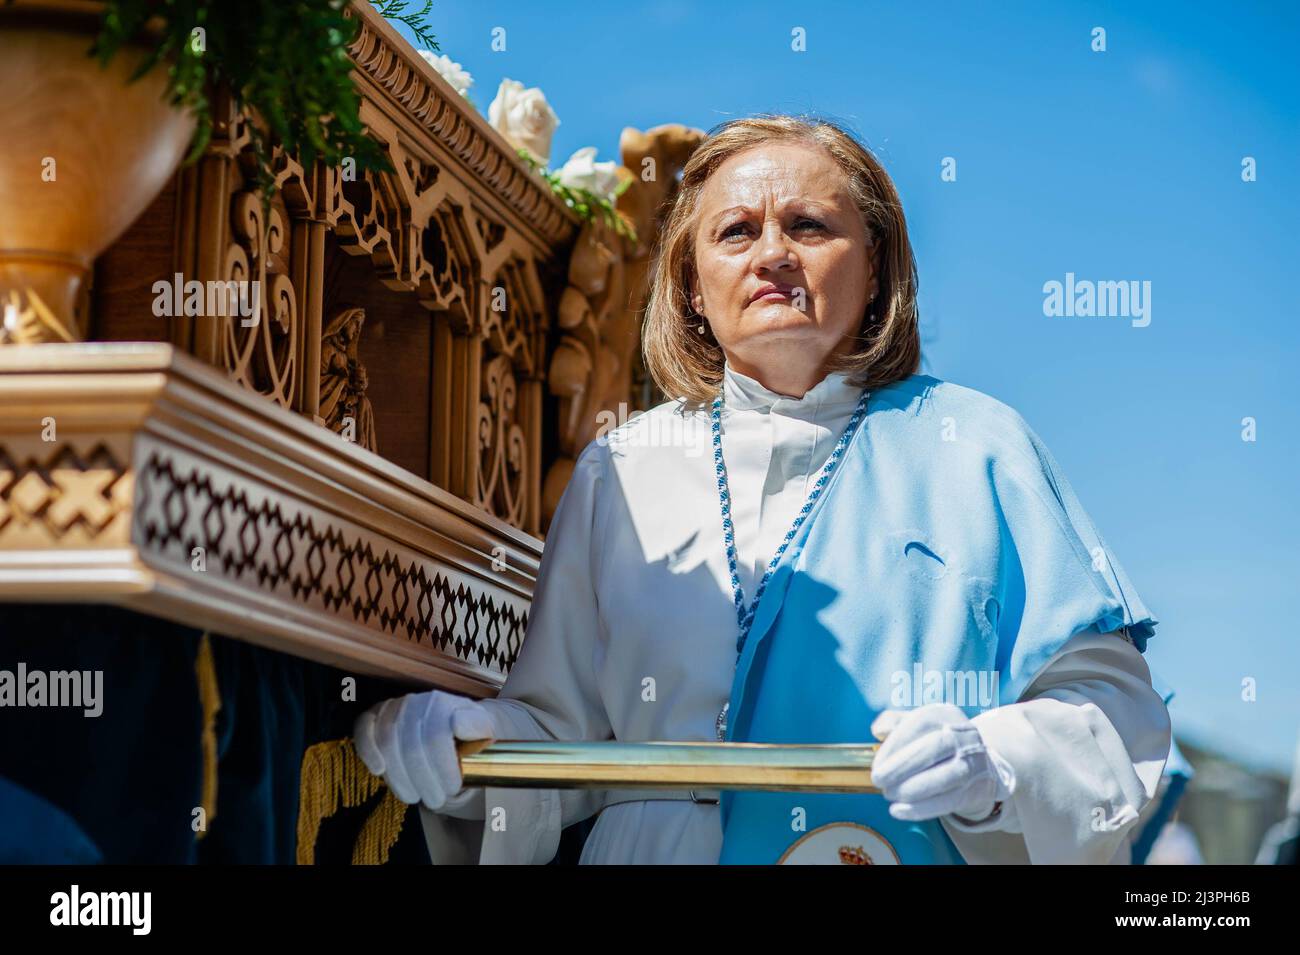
(461, 225)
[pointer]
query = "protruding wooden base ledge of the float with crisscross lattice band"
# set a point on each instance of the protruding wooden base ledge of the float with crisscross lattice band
(138, 476)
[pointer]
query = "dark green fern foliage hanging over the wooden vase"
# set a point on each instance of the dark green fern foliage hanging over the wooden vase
(287, 60)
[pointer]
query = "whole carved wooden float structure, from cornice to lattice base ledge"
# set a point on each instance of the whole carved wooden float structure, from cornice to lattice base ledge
(363, 476)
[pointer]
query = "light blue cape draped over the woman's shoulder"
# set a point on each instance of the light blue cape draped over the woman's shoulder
(947, 561)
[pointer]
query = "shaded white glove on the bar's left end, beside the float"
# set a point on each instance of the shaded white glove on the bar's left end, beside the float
(411, 743)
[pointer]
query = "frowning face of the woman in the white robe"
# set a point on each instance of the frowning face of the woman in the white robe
(781, 215)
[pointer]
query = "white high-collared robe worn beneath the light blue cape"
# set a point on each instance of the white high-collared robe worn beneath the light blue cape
(638, 536)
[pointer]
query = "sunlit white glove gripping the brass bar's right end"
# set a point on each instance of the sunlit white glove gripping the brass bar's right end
(934, 762)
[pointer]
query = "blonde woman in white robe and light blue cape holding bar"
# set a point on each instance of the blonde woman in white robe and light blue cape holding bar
(809, 544)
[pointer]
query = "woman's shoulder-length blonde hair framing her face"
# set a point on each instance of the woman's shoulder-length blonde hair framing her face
(684, 363)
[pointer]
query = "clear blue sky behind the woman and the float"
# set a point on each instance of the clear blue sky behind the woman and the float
(1117, 166)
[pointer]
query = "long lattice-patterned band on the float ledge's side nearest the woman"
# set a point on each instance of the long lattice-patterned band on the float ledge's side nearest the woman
(298, 555)
